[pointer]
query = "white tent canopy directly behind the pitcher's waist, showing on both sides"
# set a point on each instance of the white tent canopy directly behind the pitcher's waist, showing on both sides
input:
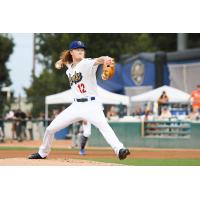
(106, 97)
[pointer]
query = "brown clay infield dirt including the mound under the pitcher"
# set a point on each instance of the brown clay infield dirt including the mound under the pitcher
(62, 155)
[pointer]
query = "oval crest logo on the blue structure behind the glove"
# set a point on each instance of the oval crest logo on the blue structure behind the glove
(137, 72)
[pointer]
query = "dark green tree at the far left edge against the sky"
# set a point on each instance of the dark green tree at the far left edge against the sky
(6, 49)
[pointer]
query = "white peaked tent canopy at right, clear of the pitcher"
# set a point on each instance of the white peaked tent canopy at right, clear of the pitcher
(173, 94)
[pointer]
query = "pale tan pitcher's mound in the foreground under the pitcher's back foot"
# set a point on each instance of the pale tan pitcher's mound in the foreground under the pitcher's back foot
(51, 162)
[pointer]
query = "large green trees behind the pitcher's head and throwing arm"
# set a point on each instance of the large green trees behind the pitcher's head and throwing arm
(49, 47)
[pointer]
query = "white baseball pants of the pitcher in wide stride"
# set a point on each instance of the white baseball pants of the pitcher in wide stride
(90, 111)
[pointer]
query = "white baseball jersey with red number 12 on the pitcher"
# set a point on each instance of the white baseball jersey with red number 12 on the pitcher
(82, 78)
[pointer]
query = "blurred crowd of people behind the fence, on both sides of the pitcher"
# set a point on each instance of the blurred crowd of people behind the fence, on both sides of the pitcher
(22, 123)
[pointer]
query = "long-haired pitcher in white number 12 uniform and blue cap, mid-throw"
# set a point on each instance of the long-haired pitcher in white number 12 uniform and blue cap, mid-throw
(87, 106)
